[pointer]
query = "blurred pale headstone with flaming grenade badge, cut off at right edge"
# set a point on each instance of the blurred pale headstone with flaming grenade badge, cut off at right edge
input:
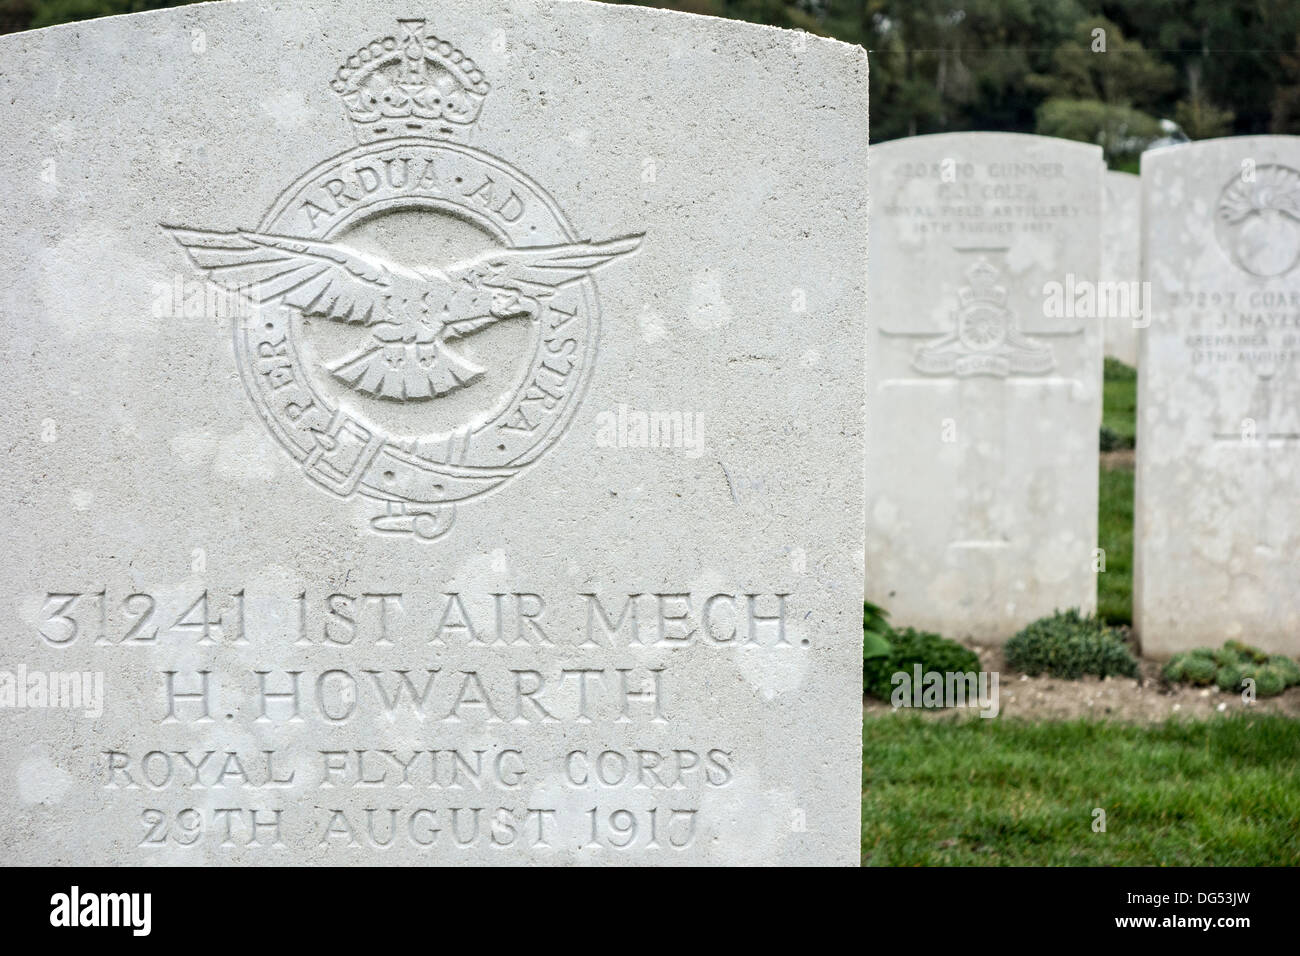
(1217, 531)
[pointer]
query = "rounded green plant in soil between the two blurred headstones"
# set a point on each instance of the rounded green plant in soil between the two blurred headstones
(1069, 646)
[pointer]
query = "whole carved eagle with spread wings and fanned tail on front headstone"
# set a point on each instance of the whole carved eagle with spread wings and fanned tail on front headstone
(410, 313)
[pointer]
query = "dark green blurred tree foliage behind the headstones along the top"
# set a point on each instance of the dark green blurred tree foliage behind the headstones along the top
(1214, 67)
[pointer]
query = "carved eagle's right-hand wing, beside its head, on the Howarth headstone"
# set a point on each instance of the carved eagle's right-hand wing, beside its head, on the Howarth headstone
(506, 283)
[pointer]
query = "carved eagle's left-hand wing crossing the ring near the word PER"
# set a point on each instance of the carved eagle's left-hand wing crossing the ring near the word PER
(319, 279)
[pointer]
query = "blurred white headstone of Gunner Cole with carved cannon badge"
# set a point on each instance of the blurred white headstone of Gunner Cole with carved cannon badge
(983, 392)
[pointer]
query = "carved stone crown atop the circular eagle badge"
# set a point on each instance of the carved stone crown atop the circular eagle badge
(414, 85)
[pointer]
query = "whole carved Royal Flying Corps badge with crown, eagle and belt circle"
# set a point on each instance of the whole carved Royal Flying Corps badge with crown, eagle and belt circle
(369, 275)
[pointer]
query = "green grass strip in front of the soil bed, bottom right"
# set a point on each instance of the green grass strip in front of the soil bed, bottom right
(1007, 793)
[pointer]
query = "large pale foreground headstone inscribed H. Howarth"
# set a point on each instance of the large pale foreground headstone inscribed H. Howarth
(449, 573)
